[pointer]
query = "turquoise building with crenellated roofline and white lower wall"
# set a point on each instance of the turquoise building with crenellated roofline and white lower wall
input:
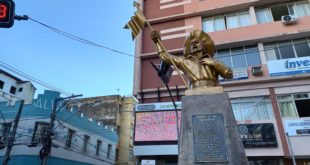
(77, 139)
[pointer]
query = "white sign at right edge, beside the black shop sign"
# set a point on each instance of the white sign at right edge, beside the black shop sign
(297, 127)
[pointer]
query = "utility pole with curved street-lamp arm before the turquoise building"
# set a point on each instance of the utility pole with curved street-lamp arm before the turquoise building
(46, 149)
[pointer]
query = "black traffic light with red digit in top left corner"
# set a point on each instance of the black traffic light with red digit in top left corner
(7, 13)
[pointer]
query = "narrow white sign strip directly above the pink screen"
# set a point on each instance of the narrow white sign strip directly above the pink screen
(157, 106)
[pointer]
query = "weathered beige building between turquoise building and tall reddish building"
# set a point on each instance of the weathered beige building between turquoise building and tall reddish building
(115, 112)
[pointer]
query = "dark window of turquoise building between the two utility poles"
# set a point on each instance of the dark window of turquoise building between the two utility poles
(40, 131)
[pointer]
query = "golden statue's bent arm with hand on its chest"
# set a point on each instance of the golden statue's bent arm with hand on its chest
(219, 67)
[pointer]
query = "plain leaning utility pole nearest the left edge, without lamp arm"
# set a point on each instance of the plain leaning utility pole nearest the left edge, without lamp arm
(12, 136)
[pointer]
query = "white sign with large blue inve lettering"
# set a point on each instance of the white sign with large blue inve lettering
(289, 66)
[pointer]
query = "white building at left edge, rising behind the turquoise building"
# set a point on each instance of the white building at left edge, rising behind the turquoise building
(13, 88)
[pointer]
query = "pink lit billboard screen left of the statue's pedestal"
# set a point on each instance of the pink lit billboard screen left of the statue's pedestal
(156, 126)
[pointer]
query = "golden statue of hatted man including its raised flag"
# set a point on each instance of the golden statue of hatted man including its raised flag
(197, 63)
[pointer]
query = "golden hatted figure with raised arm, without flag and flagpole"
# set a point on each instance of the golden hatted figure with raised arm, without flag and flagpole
(198, 64)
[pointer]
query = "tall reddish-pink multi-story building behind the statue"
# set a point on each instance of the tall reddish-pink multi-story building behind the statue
(270, 58)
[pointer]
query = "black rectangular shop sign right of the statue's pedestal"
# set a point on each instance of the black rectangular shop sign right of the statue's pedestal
(258, 135)
